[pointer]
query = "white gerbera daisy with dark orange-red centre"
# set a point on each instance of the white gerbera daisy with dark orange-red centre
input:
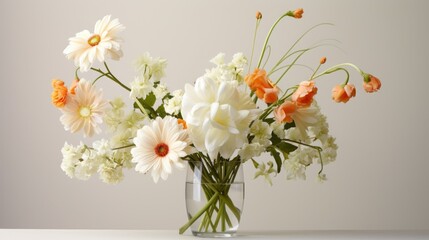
(160, 145)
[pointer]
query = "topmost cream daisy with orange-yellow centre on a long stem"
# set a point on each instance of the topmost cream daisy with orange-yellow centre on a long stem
(85, 47)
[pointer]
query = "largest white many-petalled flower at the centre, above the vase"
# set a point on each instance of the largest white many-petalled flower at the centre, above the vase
(217, 116)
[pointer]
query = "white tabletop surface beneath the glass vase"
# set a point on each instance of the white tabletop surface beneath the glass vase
(51, 234)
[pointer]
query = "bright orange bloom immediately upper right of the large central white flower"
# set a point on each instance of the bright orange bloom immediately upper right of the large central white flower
(259, 82)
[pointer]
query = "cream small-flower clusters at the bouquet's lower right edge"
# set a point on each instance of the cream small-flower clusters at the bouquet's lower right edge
(304, 156)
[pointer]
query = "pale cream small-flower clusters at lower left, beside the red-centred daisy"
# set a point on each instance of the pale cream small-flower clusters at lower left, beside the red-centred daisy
(105, 157)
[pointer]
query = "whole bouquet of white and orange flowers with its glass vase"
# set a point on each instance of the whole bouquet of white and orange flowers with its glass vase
(227, 117)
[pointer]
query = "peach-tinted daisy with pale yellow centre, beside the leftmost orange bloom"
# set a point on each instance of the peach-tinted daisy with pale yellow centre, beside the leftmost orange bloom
(84, 110)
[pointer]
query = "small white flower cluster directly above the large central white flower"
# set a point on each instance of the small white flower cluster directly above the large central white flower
(227, 71)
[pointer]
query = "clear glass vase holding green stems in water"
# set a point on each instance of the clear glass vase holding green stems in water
(214, 197)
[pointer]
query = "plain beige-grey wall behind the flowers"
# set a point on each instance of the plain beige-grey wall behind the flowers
(380, 179)
